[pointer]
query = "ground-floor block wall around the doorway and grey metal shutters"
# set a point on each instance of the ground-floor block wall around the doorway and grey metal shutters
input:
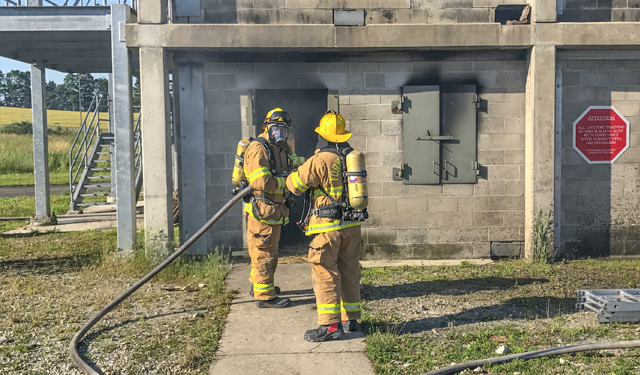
(420, 221)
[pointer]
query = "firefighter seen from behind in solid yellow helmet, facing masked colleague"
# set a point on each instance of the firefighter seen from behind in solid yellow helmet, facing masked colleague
(336, 247)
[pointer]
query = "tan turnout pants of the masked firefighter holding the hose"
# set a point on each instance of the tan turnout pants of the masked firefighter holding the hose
(263, 240)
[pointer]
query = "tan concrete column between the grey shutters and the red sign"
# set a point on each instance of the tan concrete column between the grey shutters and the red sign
(539, 138)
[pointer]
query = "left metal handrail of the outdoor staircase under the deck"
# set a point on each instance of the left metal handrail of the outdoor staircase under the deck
(84, 141)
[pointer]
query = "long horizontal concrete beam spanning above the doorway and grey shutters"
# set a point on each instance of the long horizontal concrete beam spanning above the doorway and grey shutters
(328, 37)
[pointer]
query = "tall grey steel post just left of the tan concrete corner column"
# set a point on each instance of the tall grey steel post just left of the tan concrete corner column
(123, 130)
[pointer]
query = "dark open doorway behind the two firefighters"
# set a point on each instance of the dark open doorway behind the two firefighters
(305, 107)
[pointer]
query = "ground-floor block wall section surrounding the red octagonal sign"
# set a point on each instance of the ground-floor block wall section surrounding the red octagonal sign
(600, 203)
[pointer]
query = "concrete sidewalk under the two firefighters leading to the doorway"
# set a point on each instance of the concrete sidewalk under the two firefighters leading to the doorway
(270, 341)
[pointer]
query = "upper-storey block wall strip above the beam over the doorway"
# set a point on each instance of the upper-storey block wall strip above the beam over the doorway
(377, 11)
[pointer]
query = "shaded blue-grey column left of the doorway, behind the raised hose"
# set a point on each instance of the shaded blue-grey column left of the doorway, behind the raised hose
(193, 176)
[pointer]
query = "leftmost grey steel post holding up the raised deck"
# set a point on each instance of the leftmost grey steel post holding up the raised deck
(40, 145)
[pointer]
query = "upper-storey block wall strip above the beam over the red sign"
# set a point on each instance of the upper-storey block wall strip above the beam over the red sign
(600, 11)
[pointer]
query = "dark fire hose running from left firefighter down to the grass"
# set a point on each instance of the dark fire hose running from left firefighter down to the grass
(73, 346)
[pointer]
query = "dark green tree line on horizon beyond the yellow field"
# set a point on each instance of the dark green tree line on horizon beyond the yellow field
(75, 93)
